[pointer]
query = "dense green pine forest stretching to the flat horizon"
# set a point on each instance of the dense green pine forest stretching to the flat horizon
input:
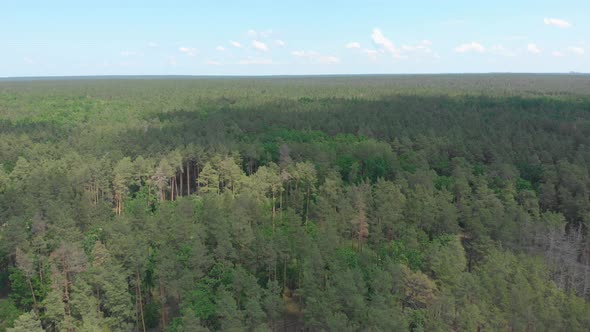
(329, 203)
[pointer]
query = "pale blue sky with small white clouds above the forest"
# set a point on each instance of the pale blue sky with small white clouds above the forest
(284, 37)
